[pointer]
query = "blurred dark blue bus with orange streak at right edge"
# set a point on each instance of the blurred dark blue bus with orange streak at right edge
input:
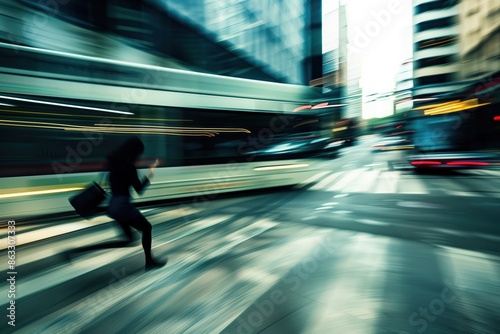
(457, 130)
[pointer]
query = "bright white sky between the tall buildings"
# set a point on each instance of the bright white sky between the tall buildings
(380, 34)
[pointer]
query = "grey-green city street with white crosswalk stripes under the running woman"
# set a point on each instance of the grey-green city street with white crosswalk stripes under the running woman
(367, 246)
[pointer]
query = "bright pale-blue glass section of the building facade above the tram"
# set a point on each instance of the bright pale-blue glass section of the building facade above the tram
(271, 34)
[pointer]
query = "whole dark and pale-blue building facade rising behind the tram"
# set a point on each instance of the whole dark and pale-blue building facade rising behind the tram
(277, 41)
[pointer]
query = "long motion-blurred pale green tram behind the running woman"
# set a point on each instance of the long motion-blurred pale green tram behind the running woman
(61, 114)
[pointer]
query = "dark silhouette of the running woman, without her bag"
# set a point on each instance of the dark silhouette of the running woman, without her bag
(122, 176)
